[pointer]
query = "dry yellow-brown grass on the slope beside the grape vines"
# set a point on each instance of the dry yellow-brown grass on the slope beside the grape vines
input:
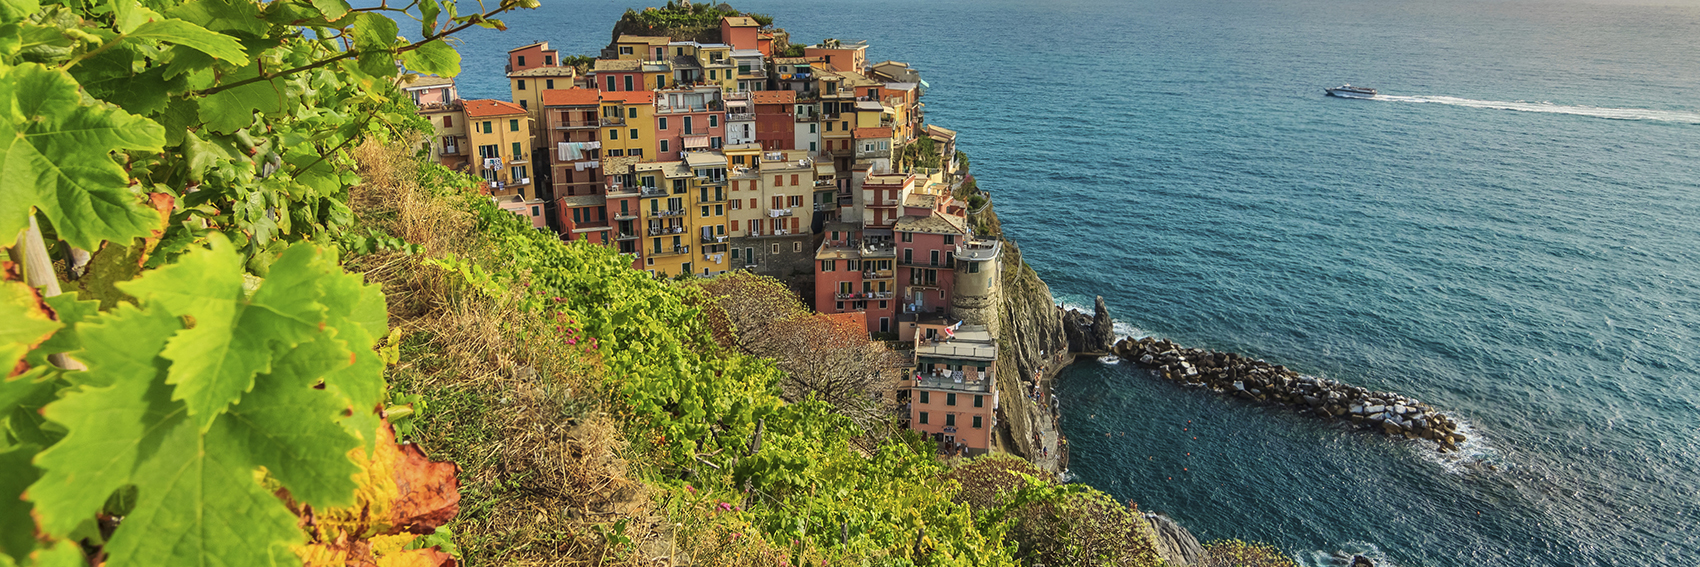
(541, 466)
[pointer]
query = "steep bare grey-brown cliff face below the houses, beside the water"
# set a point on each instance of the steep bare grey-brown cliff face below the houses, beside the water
(1031, 344)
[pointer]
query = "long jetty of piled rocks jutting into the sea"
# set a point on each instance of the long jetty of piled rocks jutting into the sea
(1261, 381)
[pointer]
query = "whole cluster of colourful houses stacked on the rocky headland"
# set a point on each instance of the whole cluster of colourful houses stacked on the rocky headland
(703, 159)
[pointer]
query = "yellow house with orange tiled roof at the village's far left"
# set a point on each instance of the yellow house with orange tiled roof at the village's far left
(501, 135)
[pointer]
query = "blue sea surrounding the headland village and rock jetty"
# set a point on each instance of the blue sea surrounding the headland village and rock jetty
(1514, 237)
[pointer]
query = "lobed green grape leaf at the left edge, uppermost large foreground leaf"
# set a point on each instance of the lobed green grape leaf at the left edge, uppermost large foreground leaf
(55, 157)
